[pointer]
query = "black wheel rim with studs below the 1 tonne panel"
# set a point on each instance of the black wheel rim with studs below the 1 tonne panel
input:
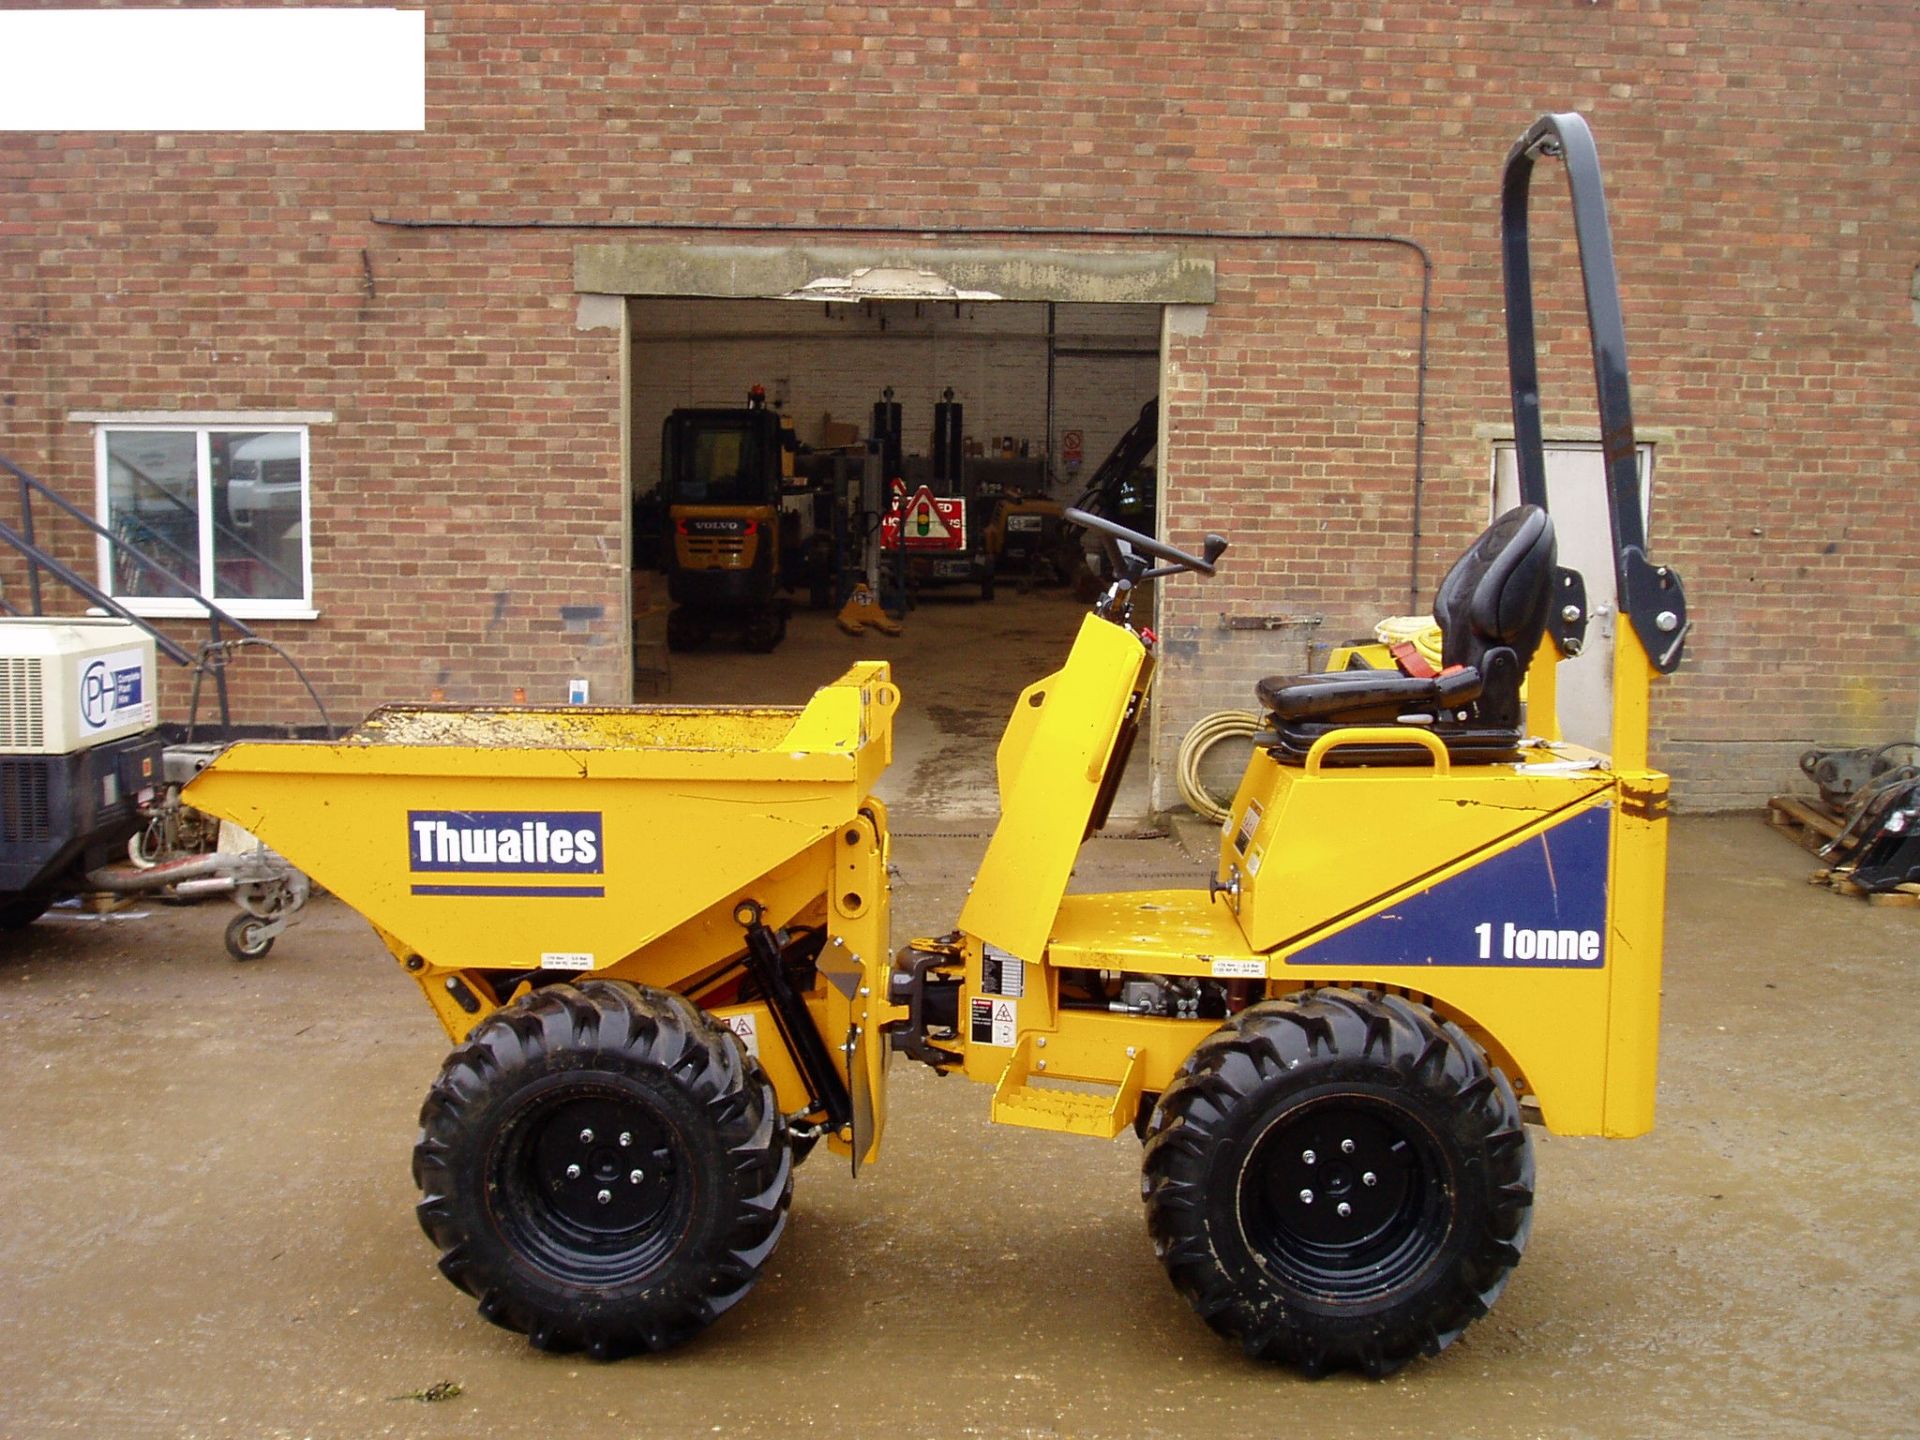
(1345, 1197)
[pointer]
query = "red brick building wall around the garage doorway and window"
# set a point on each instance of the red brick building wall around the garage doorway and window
(1764, 176)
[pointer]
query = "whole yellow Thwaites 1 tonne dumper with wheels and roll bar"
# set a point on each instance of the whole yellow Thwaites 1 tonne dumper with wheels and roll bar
(660, 940)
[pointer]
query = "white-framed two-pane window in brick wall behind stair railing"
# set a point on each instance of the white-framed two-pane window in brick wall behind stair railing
(224, 506)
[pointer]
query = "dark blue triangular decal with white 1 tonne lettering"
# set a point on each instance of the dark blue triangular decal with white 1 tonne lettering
(1539, 905)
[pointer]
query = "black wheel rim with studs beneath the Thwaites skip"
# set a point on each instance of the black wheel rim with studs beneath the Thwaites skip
(592, 1188)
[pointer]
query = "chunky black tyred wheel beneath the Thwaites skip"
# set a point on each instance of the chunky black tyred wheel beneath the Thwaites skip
(604, 1168)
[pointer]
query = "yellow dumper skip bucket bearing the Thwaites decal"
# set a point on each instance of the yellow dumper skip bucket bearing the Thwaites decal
(556, 840)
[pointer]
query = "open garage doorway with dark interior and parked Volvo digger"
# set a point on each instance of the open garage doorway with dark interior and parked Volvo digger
(771, 441)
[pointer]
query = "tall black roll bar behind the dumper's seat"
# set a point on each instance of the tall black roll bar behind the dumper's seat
(1648, 594)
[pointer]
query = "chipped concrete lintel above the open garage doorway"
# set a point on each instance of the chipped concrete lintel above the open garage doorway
(1128, 277)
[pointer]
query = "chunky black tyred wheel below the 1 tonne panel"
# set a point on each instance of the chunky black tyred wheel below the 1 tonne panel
(1339, 1180)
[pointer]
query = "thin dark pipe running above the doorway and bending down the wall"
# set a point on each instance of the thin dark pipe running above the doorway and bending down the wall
(1040, 233)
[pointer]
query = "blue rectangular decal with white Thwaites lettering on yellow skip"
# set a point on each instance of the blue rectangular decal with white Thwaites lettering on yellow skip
(496, 852)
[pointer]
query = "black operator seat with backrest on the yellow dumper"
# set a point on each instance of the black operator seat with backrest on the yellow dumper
(1493, 612)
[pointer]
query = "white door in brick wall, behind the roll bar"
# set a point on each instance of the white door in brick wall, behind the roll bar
(1577, 498)
